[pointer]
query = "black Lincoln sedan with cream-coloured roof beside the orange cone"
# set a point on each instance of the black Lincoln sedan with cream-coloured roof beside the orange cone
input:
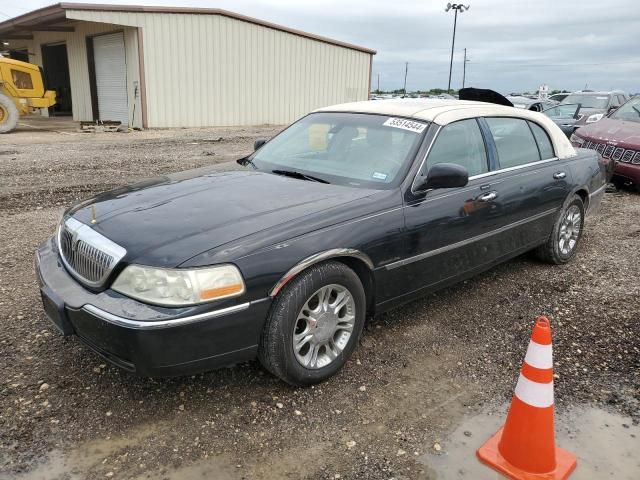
(350, 211)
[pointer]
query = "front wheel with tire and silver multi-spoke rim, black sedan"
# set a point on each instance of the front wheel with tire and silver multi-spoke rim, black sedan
(314, 324)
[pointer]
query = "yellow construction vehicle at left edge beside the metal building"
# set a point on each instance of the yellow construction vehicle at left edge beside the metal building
(21, 91)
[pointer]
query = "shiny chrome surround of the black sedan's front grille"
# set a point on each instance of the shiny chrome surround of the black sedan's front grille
(88, 235)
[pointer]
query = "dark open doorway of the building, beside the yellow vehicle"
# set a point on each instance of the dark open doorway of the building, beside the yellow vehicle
(55, 65)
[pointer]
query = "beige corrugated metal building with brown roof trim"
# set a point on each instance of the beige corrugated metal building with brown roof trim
(184, 67)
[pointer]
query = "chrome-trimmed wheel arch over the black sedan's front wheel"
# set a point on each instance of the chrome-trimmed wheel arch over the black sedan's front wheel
(356, 260)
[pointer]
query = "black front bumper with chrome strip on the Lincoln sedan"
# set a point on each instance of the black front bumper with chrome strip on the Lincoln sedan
(145, 339)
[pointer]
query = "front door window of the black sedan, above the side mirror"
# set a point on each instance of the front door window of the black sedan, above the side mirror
(460, 143)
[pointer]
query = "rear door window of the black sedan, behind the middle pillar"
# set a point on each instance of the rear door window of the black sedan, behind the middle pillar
(514, 141)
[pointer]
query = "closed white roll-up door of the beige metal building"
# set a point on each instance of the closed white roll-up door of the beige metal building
(111, 77)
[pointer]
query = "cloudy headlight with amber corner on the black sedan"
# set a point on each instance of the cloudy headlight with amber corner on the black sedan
(179, 287)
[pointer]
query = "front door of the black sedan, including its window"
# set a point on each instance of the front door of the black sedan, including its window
(447, 229)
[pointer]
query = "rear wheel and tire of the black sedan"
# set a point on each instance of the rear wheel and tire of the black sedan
(567, 230)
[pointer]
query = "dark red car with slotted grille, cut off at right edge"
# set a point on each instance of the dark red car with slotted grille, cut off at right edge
(617, 139)
